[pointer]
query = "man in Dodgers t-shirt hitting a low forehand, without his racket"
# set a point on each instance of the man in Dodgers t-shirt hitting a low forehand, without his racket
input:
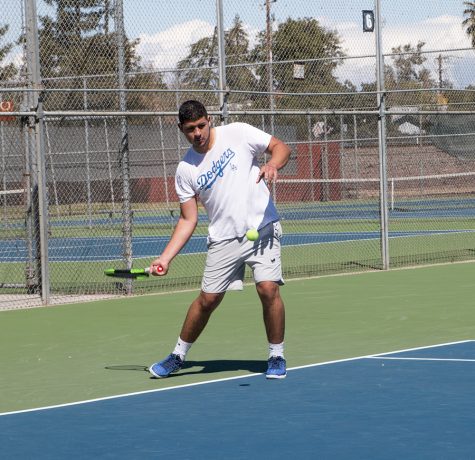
(221, 169)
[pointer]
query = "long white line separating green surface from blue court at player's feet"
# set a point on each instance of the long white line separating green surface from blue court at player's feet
(157, 390)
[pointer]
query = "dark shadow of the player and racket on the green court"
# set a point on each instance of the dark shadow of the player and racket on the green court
(203, 367)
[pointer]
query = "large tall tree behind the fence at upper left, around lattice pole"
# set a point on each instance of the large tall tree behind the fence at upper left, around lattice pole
(78, 48)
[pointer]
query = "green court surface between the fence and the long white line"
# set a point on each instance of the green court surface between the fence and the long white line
(62, 354)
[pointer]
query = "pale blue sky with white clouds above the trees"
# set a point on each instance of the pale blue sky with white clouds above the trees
(167, 28)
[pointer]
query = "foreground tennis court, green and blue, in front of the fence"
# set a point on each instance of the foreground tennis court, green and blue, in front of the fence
(381, 365)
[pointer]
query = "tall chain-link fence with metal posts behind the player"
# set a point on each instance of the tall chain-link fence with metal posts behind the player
(382, 172)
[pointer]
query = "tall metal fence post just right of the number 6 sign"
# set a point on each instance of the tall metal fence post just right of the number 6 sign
(383, 181)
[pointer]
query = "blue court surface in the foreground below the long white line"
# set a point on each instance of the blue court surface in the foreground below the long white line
(410, 404)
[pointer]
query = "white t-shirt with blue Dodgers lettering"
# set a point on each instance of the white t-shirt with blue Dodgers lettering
(225, 180)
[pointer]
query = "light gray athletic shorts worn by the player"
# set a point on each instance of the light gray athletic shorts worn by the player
(226, 261)
